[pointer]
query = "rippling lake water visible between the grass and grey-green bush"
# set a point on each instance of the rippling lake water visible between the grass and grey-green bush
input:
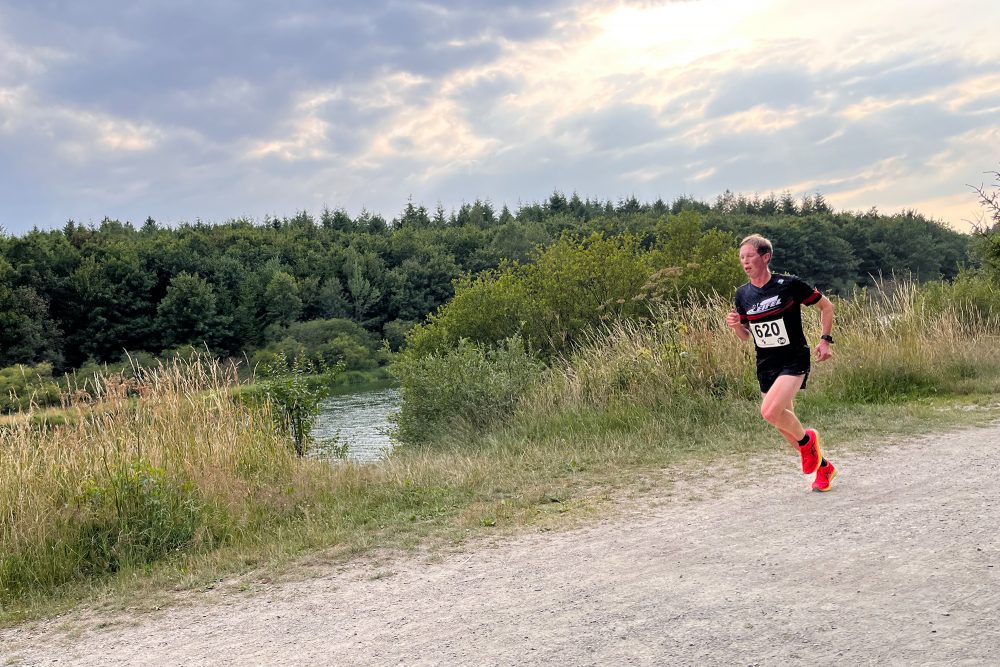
(362, 420)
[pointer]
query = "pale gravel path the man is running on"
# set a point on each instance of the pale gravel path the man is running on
(899, 564)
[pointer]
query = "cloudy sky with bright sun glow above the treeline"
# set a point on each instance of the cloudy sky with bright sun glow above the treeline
(216, 109)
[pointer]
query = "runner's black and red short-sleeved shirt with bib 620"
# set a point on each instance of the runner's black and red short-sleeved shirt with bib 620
(773, 315)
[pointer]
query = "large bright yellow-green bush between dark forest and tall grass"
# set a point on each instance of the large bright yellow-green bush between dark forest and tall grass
(576, 284)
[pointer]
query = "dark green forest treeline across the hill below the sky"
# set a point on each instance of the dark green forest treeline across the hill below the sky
(87, 293)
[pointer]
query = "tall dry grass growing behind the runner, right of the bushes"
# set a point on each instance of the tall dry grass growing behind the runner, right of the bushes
(893, 343)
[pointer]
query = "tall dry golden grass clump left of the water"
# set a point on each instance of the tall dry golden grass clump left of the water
(143, 467)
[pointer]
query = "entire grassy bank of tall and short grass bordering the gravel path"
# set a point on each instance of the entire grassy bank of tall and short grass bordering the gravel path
(172, 485)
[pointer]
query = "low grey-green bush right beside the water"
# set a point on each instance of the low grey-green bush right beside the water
(471, 384)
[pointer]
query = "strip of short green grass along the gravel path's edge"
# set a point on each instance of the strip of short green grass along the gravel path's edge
(528, 476)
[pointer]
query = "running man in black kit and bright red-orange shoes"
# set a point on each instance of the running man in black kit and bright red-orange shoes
(768, 308)
